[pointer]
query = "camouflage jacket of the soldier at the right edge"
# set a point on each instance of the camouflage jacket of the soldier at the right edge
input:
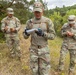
(69, 42)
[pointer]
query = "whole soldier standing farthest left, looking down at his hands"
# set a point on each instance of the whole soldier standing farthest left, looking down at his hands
(10, 27)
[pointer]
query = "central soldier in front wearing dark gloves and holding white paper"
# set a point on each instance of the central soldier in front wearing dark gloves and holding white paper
(39, 51)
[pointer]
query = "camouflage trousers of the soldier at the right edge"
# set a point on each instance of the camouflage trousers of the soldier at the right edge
(72, 53)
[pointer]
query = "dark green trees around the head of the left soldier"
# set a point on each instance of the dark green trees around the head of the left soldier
(21, 12)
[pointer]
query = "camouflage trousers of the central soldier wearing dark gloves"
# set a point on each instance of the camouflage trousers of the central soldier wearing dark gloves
(40, 61)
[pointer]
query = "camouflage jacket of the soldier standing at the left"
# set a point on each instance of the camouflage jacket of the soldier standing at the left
(10, 23)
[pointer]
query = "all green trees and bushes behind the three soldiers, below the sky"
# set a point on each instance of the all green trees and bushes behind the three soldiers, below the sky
(23, 12)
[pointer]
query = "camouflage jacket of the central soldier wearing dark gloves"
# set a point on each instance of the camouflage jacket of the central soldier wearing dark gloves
(47, 27)
